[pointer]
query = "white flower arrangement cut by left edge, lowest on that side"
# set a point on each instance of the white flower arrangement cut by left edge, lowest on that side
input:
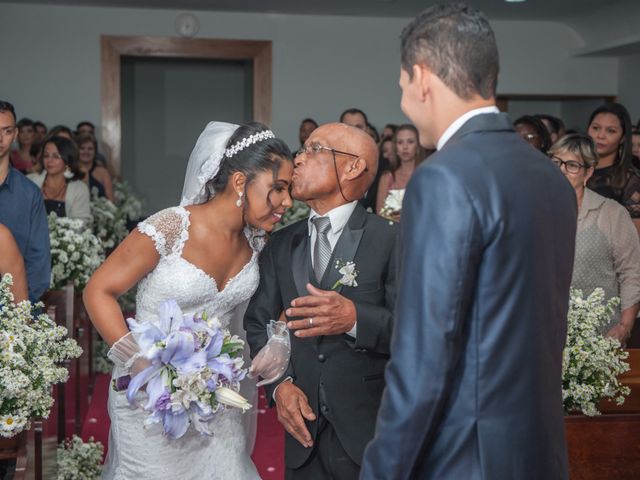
(32, 351)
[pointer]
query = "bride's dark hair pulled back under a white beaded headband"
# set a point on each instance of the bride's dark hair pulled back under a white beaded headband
(264, 155)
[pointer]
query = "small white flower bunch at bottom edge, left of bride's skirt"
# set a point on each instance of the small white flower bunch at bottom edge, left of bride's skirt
(79, 460)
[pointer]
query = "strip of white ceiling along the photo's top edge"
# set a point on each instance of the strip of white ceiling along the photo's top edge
(559, 10)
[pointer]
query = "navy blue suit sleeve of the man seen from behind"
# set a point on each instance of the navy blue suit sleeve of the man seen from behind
(440, 252)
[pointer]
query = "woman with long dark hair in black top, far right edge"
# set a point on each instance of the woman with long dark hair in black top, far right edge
(615, 176)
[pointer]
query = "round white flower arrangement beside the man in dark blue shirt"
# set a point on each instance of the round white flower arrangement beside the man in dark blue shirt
(75, 252)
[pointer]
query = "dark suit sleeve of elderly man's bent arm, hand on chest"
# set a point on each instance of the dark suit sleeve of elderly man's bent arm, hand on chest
(375, 322)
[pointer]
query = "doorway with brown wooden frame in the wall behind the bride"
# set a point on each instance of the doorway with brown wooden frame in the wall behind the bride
(159, 92)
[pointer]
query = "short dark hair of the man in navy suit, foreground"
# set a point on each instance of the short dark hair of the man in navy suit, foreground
(456, 42)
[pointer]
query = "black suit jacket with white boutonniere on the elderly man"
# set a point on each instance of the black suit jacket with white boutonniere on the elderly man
(342, 376)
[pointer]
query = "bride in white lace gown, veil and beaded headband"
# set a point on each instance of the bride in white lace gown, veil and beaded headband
(203, 254)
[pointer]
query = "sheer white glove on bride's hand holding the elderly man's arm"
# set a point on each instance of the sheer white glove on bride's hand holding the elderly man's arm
(272, 359)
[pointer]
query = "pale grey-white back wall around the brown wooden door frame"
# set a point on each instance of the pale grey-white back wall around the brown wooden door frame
(321, 65)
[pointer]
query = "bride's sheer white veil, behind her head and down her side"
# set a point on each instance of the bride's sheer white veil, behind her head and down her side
(204, 164)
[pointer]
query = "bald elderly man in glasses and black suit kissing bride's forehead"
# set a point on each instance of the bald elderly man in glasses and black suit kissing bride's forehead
(329, 397)
